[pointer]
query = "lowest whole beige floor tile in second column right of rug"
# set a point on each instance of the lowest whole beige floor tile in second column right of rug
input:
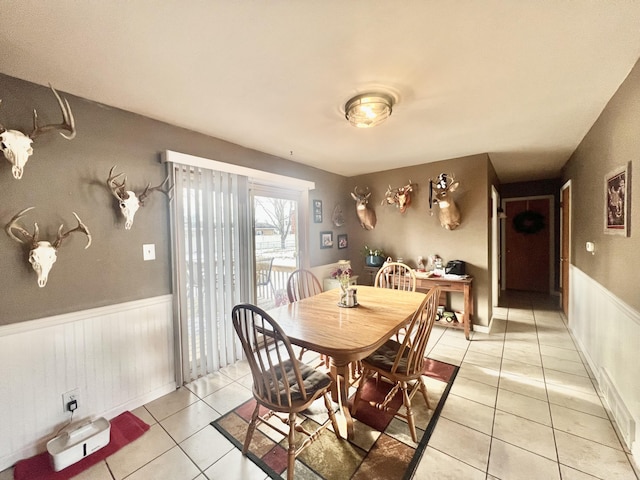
(526, 434)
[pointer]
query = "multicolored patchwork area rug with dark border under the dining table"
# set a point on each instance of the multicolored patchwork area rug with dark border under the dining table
(382, 447)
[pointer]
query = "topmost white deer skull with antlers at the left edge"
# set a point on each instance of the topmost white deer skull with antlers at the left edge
(16, 145)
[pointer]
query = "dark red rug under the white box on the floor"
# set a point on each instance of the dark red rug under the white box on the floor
(125, 428)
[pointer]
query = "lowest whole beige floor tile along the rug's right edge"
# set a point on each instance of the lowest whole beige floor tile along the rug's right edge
(463, 443)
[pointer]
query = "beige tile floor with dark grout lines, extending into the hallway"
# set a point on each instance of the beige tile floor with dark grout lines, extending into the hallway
(522, 407)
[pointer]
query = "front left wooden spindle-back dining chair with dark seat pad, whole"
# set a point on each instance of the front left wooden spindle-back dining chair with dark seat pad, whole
(281, 383)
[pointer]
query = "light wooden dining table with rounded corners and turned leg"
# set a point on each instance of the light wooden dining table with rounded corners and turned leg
(346, 334)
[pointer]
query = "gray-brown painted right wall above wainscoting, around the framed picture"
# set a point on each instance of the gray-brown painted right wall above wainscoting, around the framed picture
(614, 140)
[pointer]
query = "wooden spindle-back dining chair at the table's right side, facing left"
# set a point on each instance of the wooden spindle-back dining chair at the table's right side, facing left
(402, 363)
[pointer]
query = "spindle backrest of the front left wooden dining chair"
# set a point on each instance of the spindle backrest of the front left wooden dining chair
(277, 380)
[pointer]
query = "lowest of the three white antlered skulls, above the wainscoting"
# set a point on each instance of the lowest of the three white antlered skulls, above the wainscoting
(42, 254)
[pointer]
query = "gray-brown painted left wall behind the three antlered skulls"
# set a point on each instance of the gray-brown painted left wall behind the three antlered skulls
(64, 176)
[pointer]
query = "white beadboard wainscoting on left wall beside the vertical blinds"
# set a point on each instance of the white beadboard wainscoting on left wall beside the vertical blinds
(120, 357)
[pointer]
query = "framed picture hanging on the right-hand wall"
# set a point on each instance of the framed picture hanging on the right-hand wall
(617, 190)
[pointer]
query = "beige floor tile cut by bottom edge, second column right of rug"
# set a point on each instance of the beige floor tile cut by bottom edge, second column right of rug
(507, 461)
